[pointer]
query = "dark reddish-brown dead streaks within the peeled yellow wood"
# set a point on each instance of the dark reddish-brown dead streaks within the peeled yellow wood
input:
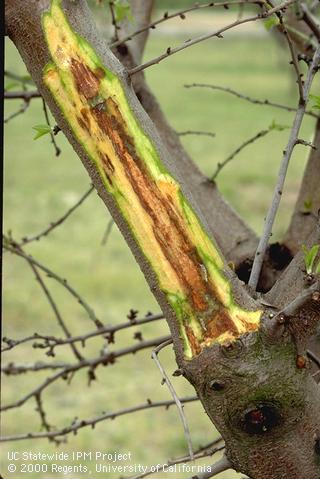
(168, 226)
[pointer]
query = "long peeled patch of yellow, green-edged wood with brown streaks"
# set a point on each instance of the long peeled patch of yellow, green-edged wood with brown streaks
(187, 263)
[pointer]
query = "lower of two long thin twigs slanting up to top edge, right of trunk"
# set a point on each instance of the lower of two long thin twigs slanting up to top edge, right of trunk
(217, 33)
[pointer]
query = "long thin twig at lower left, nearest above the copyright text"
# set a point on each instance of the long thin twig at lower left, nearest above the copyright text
(75, 426)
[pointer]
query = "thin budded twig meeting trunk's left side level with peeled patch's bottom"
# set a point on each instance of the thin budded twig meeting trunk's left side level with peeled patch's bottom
(105, 360)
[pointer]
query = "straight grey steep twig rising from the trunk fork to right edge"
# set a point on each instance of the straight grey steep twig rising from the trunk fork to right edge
(267, 230)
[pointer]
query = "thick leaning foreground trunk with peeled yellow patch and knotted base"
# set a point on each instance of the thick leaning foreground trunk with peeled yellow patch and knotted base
(242, 360)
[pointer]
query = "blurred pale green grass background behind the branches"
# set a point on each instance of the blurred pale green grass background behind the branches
(40, 187)
